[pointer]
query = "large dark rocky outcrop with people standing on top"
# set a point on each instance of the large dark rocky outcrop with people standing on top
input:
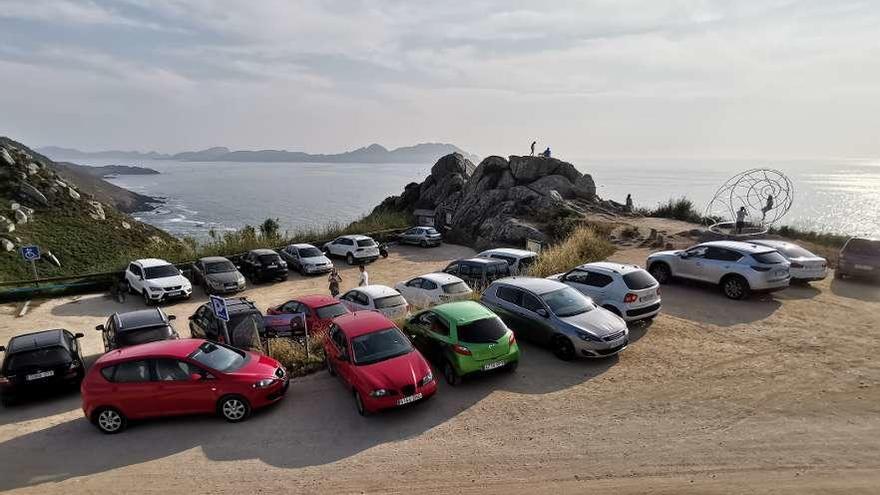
(500, 201)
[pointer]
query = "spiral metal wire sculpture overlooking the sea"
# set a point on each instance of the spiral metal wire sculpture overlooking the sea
(766, 195)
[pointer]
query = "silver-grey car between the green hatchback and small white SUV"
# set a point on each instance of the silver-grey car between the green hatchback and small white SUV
(555, 315)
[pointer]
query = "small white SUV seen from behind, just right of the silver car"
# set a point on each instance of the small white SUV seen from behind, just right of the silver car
(626, 290)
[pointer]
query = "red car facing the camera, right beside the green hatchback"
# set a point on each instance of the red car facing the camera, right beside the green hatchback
(376, 362)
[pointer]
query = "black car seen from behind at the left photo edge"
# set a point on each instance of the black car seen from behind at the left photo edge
(40, 360)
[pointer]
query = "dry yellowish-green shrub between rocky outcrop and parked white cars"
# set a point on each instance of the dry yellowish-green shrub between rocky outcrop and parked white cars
(584, 245)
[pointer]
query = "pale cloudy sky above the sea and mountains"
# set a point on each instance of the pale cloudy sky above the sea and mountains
(589, 78)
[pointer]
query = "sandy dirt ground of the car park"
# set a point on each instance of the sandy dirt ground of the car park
(779, 394)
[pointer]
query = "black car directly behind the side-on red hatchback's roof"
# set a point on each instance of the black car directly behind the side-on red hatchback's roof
(136, 327)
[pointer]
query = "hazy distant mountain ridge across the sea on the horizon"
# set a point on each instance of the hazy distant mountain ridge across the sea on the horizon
(374, 153)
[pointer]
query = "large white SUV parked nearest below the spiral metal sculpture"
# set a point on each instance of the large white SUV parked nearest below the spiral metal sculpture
(739, 268)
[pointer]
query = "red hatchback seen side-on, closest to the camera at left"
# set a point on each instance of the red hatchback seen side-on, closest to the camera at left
(176, 377)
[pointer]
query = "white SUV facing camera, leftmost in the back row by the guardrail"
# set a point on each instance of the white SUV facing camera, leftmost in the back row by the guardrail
(156, 280)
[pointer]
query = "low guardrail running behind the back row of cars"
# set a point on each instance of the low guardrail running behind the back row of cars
(19, 290)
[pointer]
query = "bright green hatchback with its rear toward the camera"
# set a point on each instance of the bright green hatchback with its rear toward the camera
(463, 338)
